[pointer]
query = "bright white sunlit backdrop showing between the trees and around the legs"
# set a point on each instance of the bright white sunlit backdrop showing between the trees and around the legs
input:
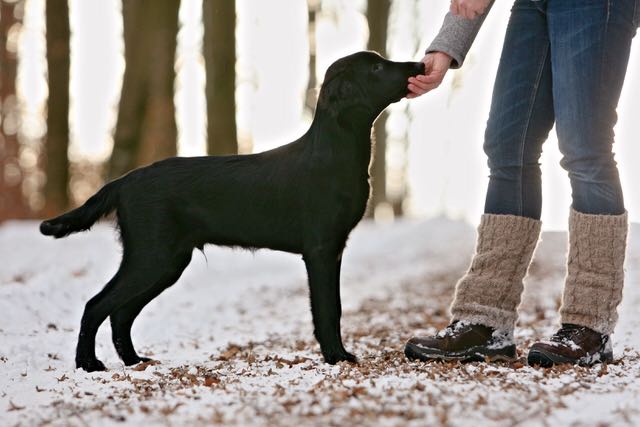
(447, 173)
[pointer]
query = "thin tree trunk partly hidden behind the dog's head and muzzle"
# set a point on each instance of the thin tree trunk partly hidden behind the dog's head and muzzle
(378, 17)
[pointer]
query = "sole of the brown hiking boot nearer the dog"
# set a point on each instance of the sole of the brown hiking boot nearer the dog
(474, 354)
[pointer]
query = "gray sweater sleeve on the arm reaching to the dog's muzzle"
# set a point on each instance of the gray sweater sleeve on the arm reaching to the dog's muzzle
(456, 36)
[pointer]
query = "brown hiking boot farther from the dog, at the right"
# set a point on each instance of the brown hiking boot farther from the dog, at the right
(573, 344)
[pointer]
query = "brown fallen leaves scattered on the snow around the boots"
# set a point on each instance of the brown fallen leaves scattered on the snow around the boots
(282, 380)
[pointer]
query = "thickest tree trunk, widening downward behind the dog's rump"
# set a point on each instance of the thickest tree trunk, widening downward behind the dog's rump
(146, 126)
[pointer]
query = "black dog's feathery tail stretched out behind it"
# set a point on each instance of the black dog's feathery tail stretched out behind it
(82, 218)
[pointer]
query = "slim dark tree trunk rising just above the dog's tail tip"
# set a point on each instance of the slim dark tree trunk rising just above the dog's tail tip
(56, 162)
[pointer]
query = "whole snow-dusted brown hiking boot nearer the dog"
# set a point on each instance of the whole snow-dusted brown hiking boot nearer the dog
(463, 342)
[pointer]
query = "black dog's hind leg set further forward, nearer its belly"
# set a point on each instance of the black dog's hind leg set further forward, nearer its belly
(123, 317)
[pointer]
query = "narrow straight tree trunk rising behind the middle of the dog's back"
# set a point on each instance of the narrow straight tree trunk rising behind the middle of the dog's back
(219, 18)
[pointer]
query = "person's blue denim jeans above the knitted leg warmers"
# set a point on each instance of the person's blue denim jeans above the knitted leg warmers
(563, 62)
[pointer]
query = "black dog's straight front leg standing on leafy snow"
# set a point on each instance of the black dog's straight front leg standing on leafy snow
(323, 269)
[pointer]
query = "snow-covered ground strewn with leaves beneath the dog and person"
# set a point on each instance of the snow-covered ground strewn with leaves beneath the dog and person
(234, 339)
